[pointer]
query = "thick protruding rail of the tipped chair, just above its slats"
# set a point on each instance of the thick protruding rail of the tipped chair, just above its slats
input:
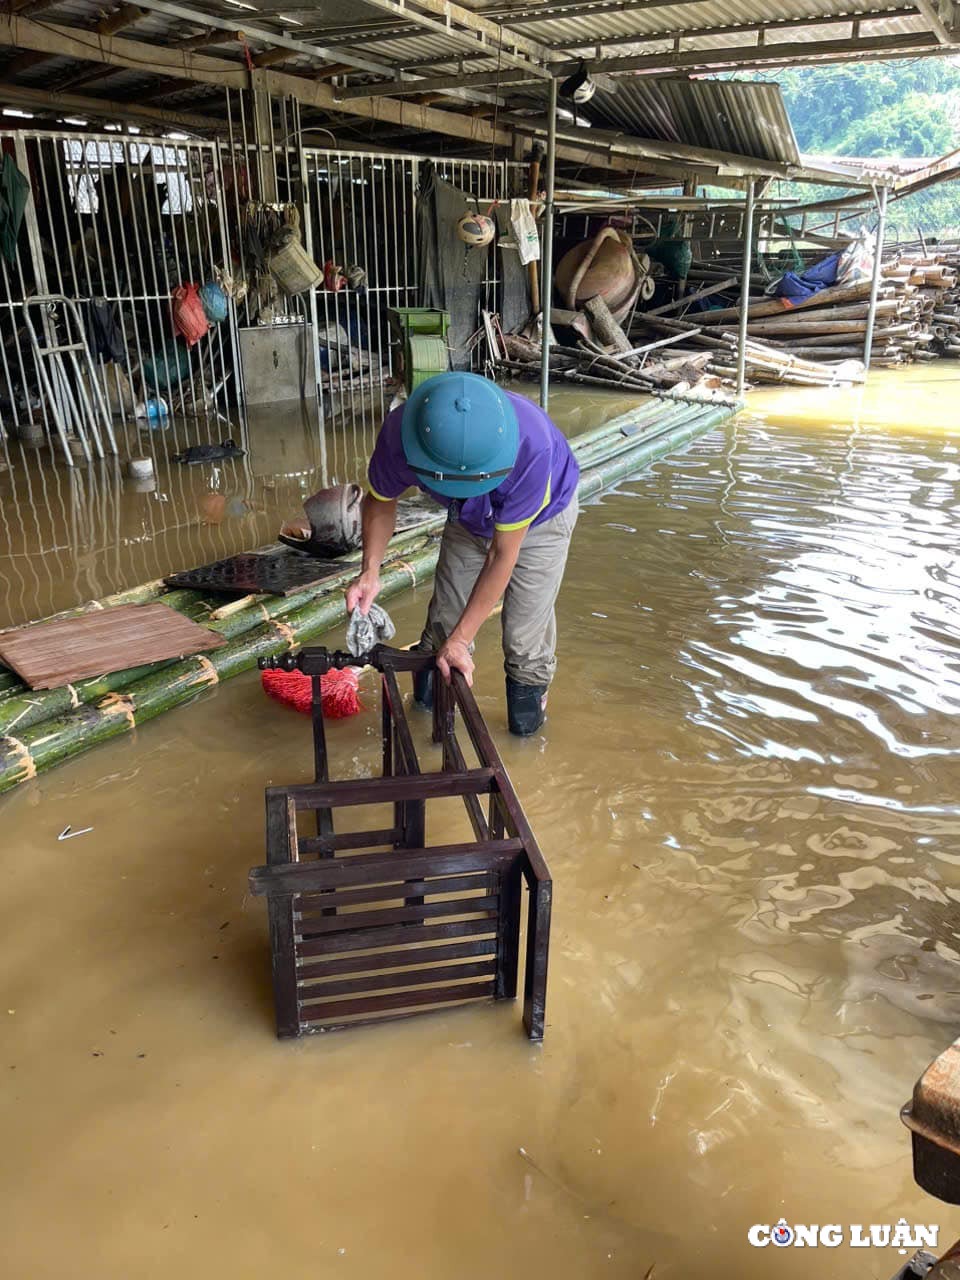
(380, 868)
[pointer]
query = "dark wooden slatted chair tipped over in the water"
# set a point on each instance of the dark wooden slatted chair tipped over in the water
(378, 925)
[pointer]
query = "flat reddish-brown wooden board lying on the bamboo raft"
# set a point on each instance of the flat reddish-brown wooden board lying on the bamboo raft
(53, 655)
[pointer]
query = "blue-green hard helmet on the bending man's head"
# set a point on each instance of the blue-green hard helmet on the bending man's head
(460, 435)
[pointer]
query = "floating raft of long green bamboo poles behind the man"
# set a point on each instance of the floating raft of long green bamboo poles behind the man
(45, 728)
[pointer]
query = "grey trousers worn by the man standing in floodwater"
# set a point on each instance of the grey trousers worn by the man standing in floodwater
(529, 621)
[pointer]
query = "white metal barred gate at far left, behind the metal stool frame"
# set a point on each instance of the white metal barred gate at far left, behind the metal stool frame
(116, 225)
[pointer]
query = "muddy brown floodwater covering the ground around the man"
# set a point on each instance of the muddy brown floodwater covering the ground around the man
(749, 798)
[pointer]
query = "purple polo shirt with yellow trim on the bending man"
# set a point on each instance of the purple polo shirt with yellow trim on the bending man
(542, 483)
